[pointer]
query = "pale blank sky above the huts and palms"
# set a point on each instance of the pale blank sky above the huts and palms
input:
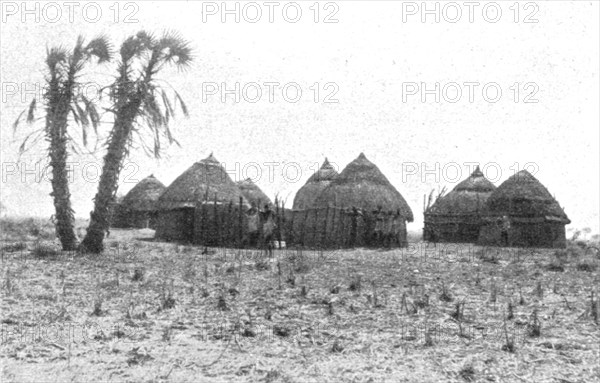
(507, 87)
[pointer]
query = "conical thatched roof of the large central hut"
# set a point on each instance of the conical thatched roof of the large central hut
(362, 184)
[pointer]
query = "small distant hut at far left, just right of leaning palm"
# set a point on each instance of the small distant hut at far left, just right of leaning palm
(138, 209)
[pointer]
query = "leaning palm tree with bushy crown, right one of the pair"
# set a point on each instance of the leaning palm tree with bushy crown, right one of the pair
(140, 105)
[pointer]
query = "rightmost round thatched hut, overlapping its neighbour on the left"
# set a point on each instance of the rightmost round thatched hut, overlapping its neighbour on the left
(535, 217)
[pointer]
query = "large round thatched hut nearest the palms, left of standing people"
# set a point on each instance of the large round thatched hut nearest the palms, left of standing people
(203, 205)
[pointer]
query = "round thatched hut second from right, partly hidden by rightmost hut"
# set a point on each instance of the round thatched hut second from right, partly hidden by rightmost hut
(456, 216)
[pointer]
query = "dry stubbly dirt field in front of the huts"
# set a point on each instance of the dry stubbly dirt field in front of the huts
(153, 312)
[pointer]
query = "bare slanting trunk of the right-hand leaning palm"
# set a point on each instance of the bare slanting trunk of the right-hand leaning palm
(113, 161)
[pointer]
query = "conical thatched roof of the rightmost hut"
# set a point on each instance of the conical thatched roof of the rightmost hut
(522, 195)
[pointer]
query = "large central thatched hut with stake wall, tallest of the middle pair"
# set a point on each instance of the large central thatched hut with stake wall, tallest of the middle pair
(343, 214)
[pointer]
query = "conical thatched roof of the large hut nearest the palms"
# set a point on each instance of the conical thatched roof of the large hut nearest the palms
(192, 186)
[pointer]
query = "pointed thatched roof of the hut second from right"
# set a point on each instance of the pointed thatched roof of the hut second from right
(467, 198)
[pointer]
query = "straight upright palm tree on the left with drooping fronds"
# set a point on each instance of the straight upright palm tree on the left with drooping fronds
(61, 102)
